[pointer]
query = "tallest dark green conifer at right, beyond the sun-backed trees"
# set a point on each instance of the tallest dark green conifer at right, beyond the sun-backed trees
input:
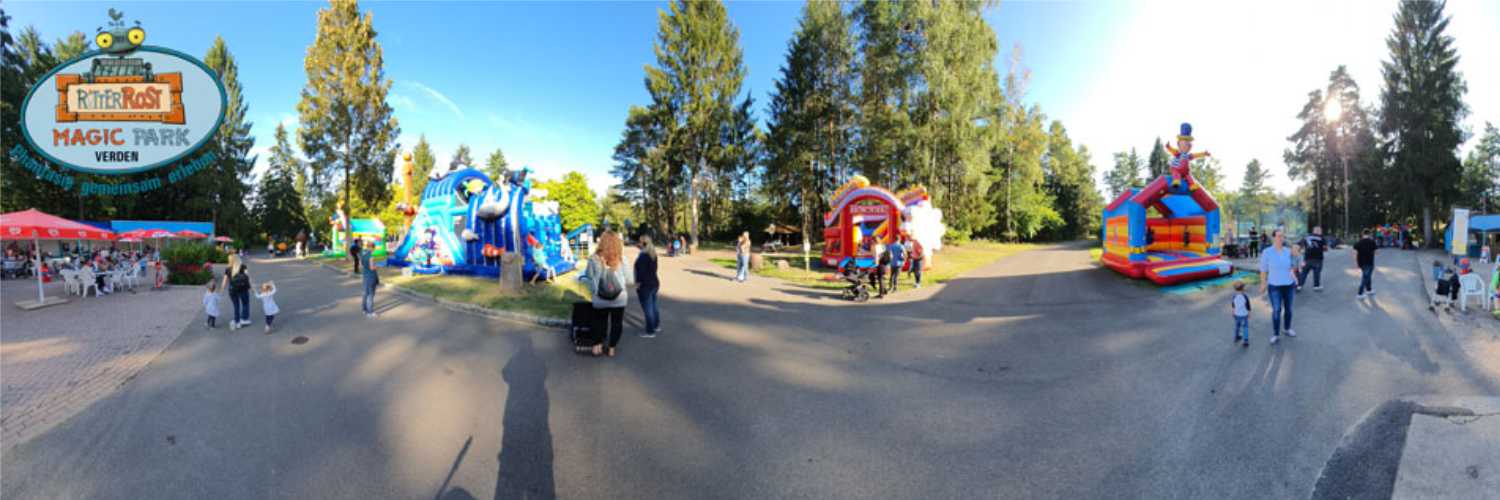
(1423, 104)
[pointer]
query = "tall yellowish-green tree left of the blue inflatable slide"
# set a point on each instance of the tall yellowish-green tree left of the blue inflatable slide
(346, 119)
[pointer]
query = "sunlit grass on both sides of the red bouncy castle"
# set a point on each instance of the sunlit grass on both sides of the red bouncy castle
(953, 262)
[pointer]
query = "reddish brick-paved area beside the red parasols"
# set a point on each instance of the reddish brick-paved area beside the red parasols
(59, 361)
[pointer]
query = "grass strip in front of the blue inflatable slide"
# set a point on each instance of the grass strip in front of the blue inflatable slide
(551, 301)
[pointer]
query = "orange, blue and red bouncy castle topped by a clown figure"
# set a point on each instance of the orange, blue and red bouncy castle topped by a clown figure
(1175, 244)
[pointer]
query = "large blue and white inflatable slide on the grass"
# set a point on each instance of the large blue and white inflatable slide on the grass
(466, 223)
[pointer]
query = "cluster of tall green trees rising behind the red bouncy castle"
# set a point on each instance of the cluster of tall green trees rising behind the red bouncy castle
(901, 92)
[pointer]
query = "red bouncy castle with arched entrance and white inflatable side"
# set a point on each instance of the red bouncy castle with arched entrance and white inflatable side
(862, 214)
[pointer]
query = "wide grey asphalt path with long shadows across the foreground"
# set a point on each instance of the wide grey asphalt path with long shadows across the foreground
(1042, 376)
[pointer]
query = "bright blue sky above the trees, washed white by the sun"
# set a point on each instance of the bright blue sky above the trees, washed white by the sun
(551, 82)
